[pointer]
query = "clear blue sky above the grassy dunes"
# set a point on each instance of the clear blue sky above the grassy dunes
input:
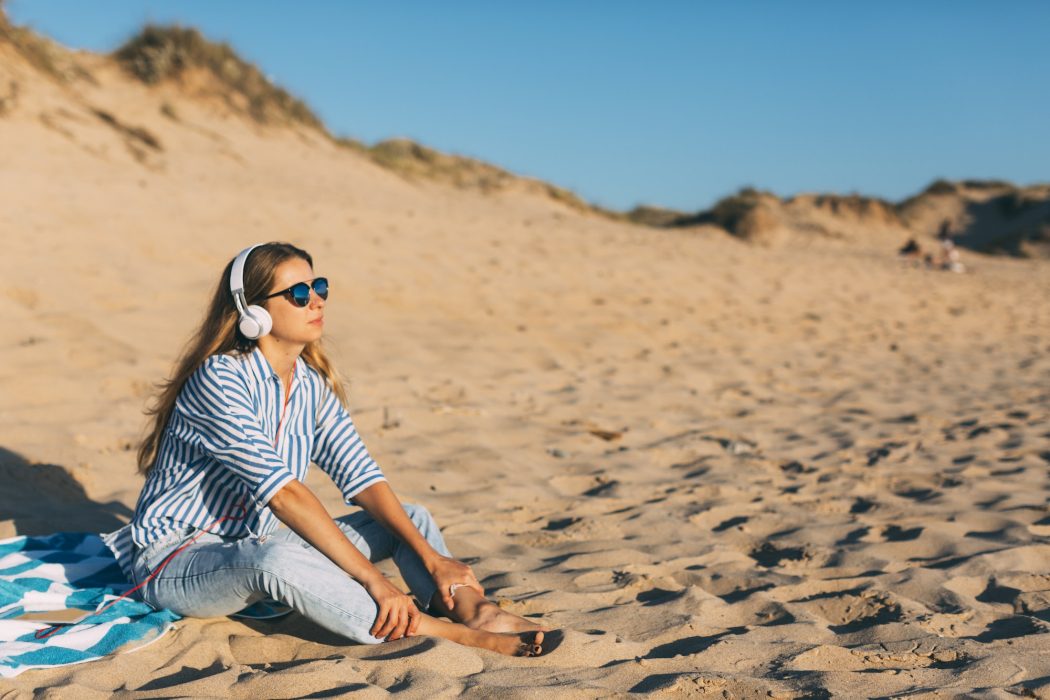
(667, 103)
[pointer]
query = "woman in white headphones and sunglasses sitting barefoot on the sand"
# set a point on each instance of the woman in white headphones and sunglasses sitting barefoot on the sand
(254, 401)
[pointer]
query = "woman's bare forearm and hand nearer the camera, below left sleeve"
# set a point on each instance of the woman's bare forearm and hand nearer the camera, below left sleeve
(297, 506)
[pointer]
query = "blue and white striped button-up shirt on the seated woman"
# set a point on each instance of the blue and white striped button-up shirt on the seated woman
(234, 438)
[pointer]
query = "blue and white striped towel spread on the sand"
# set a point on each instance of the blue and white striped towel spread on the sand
(69, 570)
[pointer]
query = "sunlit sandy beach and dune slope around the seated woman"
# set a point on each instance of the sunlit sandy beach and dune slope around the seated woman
(723, 470)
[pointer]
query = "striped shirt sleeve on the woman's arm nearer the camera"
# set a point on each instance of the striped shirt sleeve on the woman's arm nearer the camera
(218, 407)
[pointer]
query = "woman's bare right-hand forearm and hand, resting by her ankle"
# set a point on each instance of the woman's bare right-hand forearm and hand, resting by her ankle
(384, 505)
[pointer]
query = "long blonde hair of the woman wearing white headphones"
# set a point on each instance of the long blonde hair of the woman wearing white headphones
(219, 334)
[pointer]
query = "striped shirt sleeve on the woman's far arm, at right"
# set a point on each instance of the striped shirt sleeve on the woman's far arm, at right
(340, 452)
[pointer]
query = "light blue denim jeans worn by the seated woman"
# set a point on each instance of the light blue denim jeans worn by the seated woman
(219, 576)
